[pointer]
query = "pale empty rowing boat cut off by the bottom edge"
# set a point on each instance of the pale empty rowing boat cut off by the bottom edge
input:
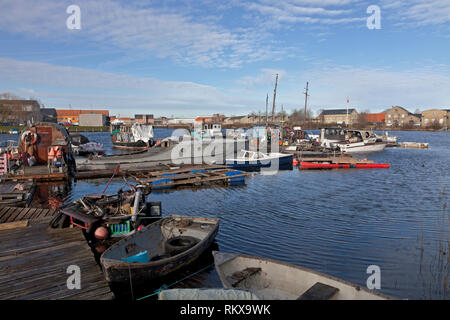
(275, 280)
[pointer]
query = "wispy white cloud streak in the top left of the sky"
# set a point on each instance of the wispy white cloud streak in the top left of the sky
(162, 32)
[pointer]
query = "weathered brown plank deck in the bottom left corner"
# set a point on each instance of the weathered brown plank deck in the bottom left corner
(34, 261)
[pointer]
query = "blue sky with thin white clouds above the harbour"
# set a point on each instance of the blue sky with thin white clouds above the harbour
(197, 57)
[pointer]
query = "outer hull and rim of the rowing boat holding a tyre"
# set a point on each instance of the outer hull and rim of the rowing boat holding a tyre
(117, 271)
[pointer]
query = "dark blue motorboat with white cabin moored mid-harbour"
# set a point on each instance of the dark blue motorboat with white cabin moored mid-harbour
(255, 159)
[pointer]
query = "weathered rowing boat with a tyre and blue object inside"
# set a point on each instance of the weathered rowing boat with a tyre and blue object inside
(158, 249)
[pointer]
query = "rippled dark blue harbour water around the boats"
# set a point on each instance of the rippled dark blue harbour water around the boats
(338, 222)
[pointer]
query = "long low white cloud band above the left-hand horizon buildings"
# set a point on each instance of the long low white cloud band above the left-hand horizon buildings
(124, 92)
